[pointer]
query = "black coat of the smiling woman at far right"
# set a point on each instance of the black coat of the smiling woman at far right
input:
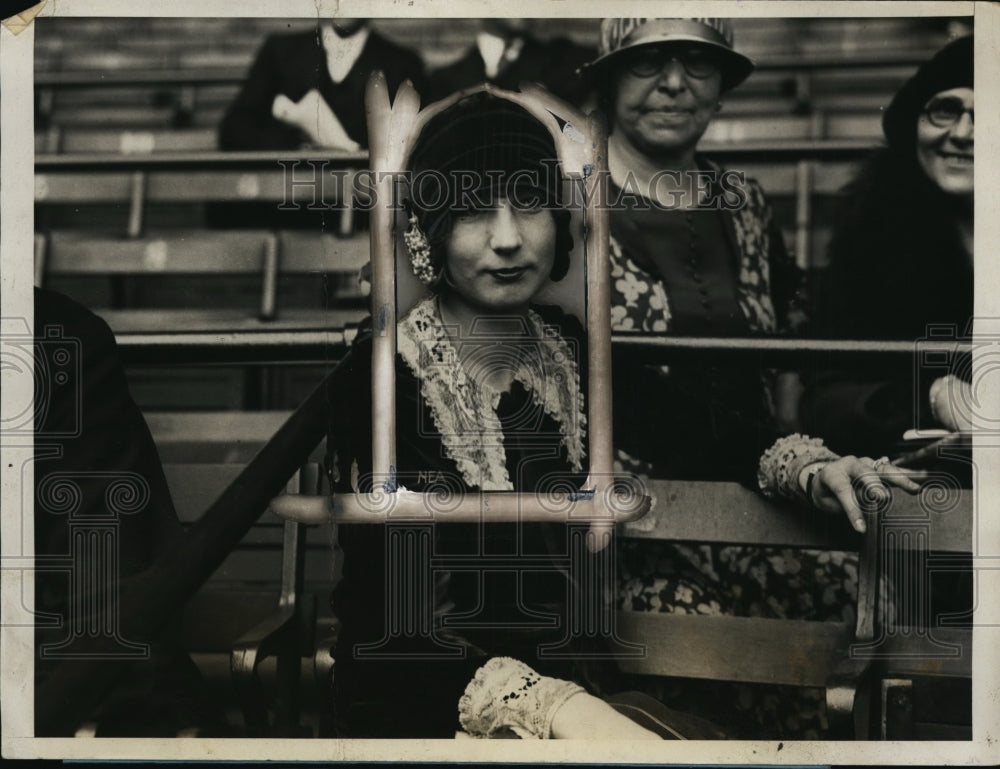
(897, 267)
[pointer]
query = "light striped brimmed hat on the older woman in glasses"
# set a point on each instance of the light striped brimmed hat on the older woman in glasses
(619, 35)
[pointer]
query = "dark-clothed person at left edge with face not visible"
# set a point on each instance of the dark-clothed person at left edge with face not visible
(94, 455)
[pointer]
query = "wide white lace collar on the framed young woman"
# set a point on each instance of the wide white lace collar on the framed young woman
(464, 410)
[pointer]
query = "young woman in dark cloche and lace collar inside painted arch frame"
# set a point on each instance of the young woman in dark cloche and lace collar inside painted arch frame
(470, 416)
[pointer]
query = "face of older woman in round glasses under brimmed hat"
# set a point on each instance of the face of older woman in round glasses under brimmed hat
(665, 96)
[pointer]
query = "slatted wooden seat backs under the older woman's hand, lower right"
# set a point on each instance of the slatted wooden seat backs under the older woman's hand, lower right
(787, 651)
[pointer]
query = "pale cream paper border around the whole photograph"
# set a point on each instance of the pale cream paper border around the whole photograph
(16, 646)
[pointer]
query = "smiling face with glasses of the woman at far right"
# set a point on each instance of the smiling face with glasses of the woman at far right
(945, 140)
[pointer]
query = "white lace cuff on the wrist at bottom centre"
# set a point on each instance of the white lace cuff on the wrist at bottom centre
(507, 694)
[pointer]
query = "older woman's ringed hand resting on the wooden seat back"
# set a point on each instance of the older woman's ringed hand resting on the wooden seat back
(855, 485)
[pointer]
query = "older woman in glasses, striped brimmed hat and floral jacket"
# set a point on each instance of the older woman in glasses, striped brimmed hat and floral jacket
(694, 248)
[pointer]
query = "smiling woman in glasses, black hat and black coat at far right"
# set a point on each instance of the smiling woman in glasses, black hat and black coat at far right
(909, 213)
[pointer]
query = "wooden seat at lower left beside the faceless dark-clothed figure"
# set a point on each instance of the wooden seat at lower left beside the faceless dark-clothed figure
(252, 628)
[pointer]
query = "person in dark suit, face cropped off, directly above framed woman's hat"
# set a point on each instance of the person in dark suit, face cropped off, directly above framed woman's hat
(506, 54)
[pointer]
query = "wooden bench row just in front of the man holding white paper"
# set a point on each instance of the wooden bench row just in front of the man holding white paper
(796, 174)
